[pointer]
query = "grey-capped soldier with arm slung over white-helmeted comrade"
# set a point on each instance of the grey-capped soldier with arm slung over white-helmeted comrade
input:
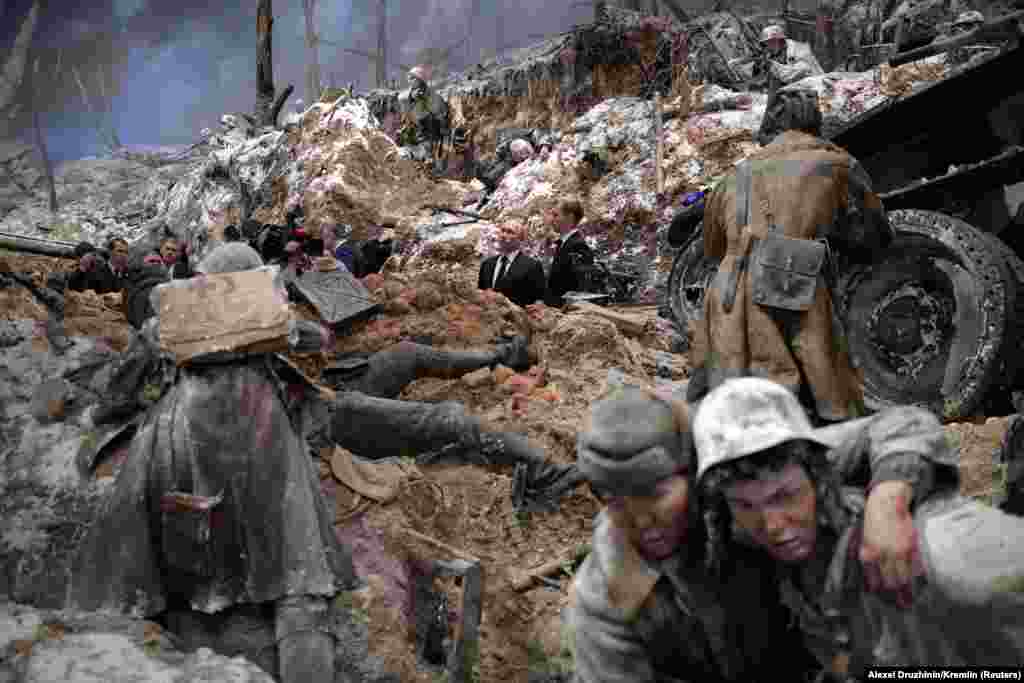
(644, 606)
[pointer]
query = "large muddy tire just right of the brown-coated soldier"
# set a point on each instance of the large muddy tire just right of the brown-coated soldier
(927, 323)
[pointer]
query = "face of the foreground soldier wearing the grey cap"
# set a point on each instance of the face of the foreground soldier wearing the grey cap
(656, 525)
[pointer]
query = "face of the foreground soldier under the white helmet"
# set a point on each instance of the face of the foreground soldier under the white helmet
(778, 511)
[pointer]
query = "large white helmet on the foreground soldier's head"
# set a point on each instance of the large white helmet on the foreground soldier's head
(746, 416)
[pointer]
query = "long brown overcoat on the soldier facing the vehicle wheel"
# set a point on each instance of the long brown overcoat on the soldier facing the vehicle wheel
(812, 190)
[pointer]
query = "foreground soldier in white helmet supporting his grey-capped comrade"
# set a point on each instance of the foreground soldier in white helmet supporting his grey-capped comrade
(769, 479)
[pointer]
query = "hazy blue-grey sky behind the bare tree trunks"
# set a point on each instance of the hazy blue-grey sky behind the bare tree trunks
(188, 62)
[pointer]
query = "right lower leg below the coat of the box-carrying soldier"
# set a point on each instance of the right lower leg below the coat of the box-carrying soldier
(306, 647)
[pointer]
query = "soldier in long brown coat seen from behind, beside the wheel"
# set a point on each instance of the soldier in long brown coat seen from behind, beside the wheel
(796, 206)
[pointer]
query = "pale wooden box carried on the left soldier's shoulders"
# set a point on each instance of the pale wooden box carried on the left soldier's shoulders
(222, 313)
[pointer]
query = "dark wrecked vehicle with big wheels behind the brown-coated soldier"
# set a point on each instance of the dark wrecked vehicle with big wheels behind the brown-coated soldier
(936, 323)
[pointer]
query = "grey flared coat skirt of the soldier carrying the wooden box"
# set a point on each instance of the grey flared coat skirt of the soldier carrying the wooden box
(223, 431)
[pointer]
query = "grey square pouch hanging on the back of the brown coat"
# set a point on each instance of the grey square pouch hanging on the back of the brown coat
(786, 272)
